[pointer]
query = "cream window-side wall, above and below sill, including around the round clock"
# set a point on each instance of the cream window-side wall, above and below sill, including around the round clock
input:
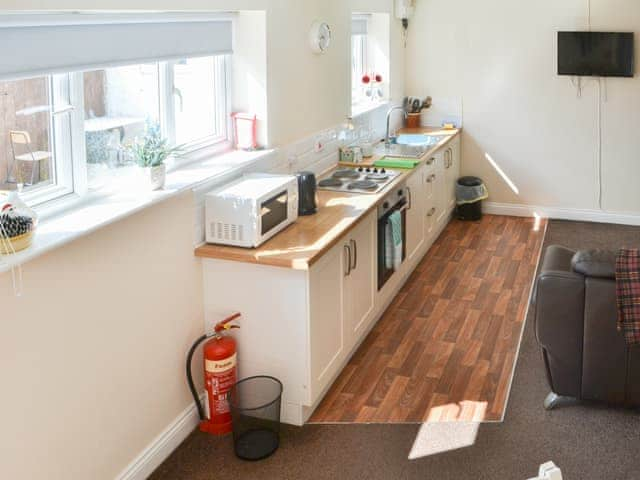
(92, 356)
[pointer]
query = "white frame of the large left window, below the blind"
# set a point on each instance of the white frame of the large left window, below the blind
(66, 124)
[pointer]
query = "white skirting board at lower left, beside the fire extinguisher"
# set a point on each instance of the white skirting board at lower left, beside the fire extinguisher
(162, 446)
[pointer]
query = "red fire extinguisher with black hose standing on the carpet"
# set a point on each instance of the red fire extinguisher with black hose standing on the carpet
(220, 359)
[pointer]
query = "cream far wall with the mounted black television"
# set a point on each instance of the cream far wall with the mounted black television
(498, 59)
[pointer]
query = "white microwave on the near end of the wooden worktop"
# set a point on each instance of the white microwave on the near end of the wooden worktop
(251, 210)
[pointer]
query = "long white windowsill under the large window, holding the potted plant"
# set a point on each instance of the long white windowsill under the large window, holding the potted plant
(87, 215)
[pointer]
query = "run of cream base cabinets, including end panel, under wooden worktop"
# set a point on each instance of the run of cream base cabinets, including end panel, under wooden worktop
(301, 325)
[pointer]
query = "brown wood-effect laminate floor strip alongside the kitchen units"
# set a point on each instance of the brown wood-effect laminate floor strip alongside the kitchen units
(445, 349)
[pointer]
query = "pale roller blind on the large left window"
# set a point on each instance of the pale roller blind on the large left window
(54, 43)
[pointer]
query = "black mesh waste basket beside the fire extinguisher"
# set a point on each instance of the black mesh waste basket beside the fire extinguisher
(255, 413)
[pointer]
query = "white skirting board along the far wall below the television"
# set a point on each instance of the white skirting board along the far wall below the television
(576, 214)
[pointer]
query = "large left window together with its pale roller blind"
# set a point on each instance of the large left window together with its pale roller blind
(65, 131)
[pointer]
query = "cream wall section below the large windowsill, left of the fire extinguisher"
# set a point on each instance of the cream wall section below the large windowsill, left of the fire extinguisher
(92, 355)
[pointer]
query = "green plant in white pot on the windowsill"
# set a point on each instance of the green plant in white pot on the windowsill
(149, 153)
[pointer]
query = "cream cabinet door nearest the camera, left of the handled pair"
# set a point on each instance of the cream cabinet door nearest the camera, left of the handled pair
(326, 306)
